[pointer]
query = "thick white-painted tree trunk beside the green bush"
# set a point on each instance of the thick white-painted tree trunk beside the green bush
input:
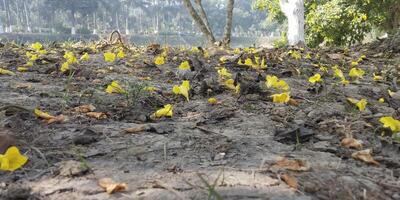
(294, 11)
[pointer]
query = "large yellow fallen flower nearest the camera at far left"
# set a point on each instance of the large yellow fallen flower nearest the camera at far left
(12, 159)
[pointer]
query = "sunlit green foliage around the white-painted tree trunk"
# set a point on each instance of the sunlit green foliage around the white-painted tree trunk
(340, 22)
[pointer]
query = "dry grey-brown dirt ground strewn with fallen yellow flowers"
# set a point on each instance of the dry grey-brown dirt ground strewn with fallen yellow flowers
(229, 150)
